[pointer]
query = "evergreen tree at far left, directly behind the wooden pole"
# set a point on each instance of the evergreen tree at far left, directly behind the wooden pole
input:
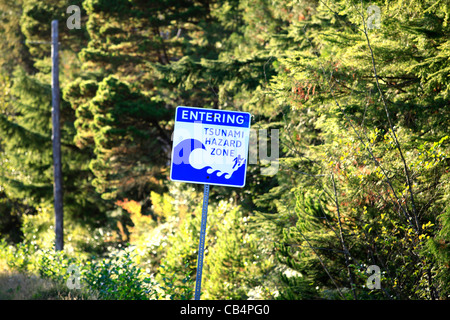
(25, 123)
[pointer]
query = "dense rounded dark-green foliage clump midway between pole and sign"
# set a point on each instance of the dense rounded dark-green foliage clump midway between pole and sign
(115, 133)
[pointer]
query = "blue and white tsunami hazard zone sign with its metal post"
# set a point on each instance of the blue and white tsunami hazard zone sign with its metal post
(210, 147)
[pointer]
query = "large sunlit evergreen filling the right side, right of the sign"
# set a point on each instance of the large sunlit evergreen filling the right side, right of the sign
(390, 156)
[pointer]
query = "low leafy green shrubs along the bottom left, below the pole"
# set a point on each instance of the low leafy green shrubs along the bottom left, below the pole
(114, 277)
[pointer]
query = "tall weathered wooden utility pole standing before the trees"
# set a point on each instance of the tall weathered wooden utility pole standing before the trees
(56, 139)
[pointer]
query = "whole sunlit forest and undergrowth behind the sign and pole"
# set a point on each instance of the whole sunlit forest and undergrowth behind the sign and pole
(361, 113)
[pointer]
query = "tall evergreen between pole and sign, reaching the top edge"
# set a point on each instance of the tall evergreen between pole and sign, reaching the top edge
(121, 110)
